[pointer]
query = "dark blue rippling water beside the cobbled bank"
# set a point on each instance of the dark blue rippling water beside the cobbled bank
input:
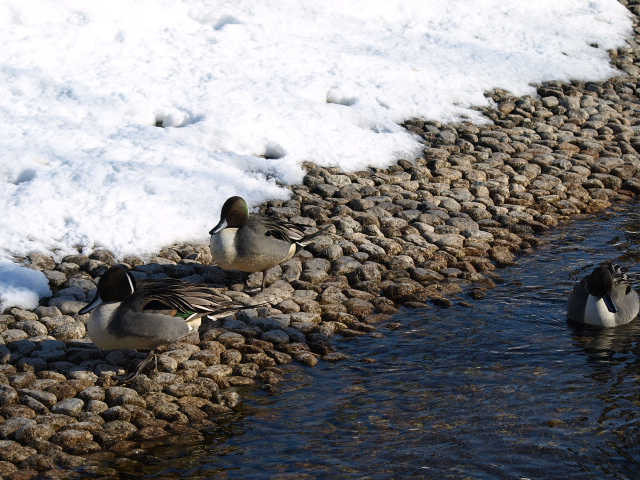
(505, 389)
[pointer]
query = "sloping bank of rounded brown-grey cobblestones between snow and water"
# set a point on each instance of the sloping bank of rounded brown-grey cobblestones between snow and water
(431, 229)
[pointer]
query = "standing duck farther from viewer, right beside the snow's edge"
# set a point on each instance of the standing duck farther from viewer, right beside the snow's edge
(254, 243)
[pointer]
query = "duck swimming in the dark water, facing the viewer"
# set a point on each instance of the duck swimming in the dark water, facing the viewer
(603, 298)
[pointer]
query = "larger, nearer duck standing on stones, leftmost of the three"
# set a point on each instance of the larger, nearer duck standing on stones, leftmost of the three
(145, 314)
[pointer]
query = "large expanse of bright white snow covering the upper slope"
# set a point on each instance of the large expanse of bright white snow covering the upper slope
(244, 92)
